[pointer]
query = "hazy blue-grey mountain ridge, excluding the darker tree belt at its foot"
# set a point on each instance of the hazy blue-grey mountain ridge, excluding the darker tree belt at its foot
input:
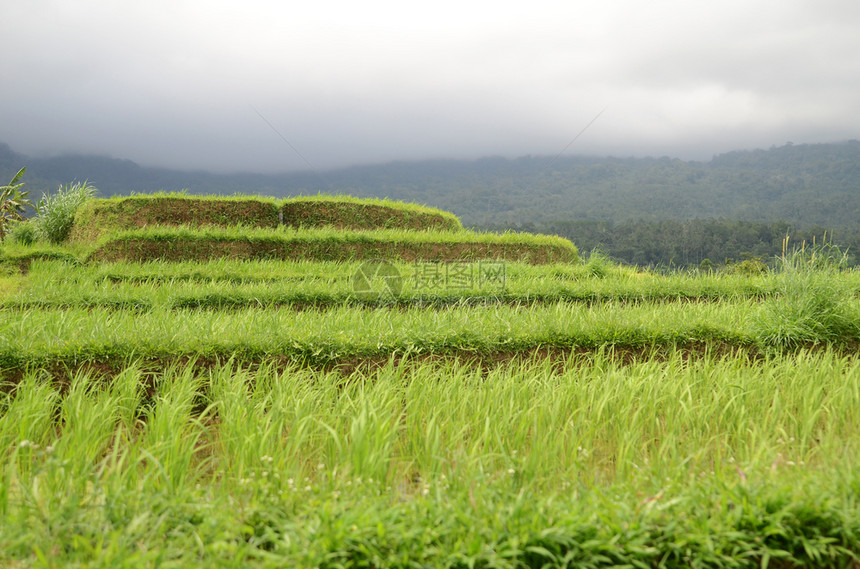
(804, 185)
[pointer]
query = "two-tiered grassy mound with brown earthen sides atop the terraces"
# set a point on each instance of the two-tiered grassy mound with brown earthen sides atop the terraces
(176, 227)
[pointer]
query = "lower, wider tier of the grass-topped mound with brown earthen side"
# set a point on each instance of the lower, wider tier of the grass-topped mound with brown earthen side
(183, 244)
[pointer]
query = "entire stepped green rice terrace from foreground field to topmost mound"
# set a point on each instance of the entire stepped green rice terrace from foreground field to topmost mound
(341, 382)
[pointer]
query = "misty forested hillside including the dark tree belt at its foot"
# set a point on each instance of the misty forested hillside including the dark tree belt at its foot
(647, 211)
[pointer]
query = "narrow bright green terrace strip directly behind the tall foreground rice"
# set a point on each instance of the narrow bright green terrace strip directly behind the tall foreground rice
(320, 336)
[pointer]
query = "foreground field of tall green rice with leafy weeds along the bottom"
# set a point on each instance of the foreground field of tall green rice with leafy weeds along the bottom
(722, 462)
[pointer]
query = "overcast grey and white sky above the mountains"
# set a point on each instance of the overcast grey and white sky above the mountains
(272, 85)
